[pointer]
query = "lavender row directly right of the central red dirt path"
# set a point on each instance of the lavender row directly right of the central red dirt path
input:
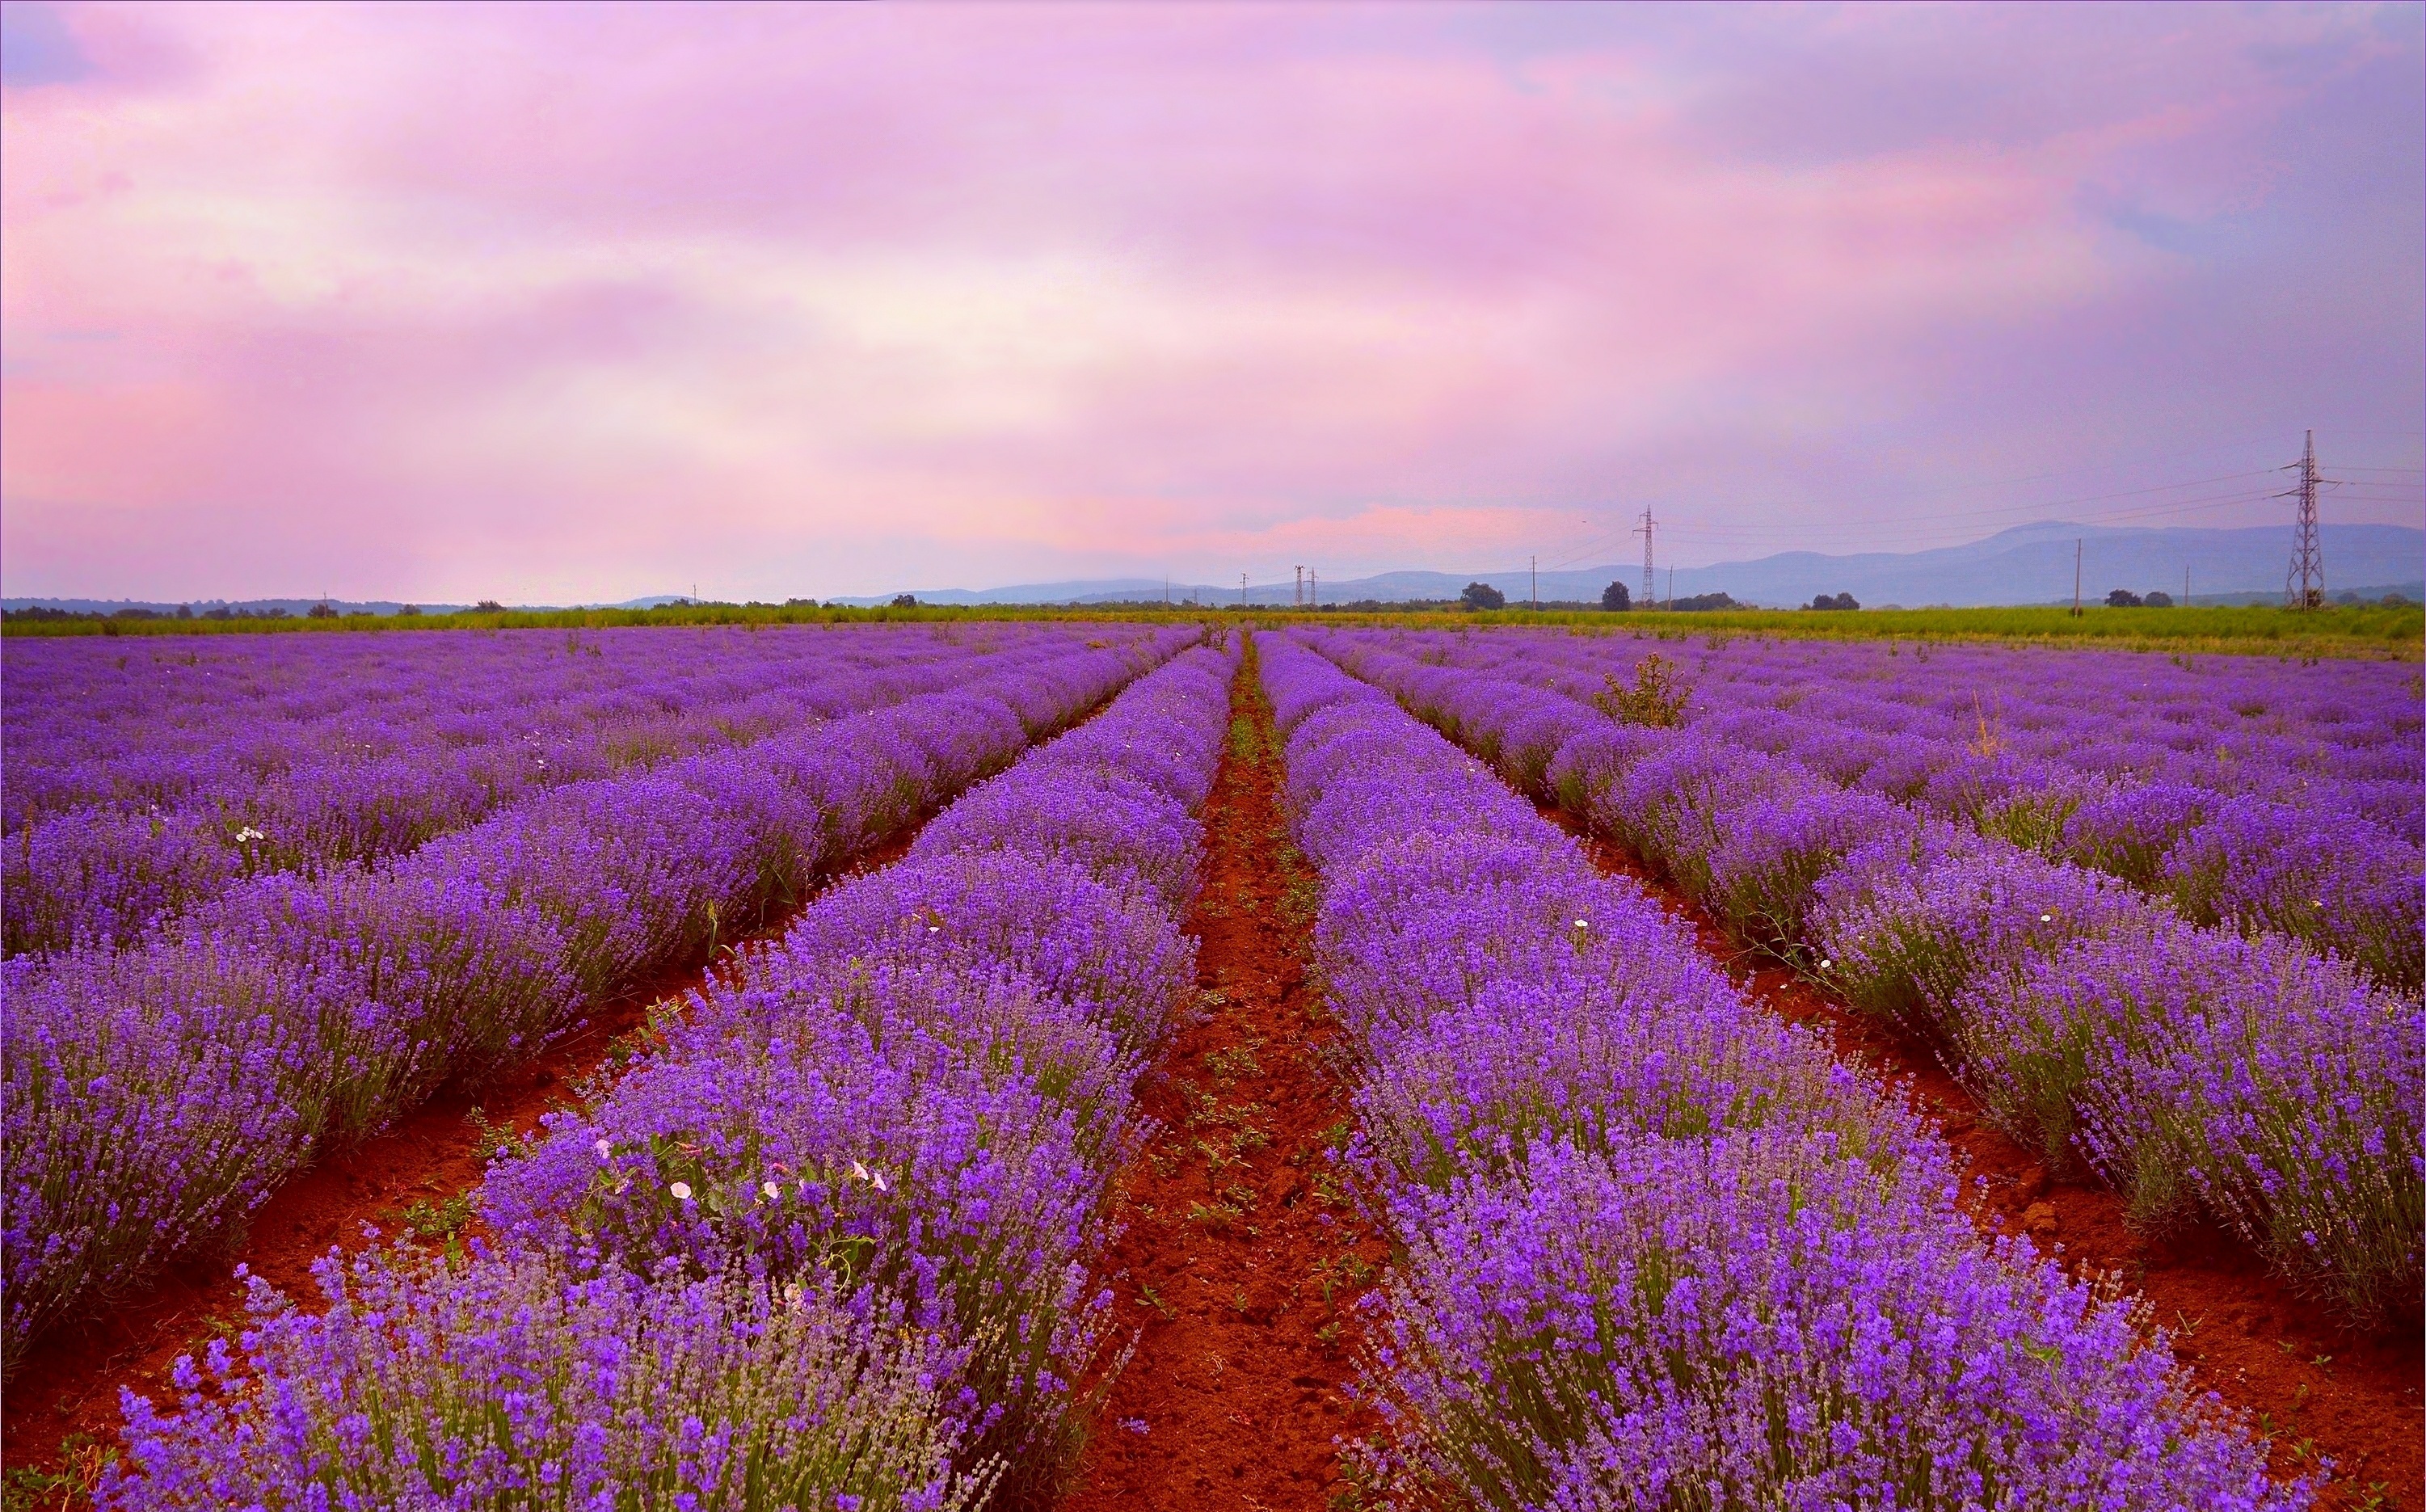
(1656, 1246)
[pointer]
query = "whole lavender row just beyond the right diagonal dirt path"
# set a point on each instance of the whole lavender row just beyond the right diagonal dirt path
(2194, 1069)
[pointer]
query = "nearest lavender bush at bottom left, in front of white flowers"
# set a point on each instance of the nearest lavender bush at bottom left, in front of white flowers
(542, 1382)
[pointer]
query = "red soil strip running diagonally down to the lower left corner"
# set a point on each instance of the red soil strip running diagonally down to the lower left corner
(62, 1411)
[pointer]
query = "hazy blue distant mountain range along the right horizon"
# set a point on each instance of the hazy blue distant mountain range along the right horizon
(2022, 567)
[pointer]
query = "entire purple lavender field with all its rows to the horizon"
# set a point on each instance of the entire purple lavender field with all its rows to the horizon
(841, 1234)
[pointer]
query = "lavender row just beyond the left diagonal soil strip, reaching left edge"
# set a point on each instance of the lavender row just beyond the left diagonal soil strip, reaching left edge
(159, 1093)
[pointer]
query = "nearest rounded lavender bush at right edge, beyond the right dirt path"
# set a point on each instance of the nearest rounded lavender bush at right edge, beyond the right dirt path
(2248, 1076)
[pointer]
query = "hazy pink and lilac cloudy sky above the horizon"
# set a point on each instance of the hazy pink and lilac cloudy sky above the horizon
(559, 302)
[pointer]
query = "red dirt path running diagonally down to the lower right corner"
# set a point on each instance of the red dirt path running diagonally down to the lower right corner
(2313, 1387)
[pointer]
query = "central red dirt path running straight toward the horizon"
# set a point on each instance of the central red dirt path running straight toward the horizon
(1241, 1261)
